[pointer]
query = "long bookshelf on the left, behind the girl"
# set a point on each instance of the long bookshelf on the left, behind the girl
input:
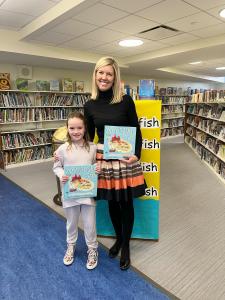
(28, 121)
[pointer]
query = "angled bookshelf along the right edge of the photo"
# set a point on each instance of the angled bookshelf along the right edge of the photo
(205, 131)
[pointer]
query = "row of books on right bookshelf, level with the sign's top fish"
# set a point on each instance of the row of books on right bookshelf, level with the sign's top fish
(209, 126)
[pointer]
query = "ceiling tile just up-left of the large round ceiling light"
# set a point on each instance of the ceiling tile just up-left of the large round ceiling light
(104, 35)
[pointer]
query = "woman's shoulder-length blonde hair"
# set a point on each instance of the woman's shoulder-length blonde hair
(117, 92)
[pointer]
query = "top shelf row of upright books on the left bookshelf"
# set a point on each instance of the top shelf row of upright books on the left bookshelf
(13, 99)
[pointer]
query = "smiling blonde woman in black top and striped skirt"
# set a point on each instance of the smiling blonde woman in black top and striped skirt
(120, 180)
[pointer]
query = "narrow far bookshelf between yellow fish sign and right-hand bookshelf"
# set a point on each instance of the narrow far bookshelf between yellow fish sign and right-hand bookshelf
(173, 113)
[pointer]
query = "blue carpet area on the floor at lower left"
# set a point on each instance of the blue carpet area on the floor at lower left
(31, 252)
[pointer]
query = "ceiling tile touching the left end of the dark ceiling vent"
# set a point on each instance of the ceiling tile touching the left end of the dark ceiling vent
(132, 24)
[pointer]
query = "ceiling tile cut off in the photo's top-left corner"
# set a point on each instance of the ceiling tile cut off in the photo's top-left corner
(32, 8)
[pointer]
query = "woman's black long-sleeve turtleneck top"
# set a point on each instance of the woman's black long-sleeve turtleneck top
(100, 112)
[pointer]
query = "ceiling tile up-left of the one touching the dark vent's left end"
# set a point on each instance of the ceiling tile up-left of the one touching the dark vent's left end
(100, 15)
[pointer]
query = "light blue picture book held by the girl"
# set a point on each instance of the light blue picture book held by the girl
(82, 182)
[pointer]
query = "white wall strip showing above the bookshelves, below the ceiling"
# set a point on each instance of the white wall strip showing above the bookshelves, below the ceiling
(41, 73)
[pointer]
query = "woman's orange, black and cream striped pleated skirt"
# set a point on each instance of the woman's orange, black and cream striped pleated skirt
(119, 181)
